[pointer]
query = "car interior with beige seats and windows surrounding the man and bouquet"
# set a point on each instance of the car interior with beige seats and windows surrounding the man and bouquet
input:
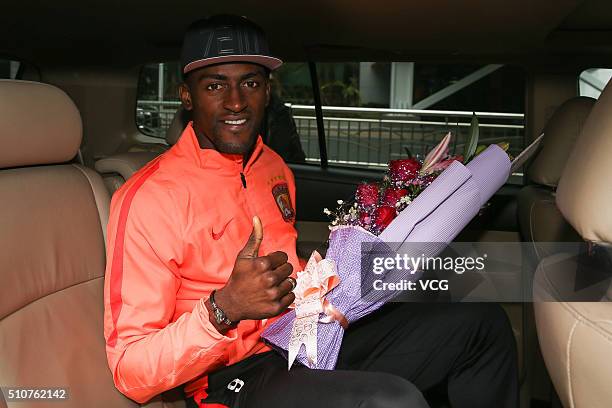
(88, 96)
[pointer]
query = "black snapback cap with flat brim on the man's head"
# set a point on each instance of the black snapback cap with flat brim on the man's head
(225, 38)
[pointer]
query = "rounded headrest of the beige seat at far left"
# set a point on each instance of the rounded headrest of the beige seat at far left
(39, 124)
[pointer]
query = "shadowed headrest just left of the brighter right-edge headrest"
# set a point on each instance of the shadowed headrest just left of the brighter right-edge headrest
(560, 134)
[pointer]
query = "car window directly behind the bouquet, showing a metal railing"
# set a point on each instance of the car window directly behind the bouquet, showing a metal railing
(379, 111)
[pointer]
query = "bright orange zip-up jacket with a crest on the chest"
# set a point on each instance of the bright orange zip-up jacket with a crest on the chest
(174, 232)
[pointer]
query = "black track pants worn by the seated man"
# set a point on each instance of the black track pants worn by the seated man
(386, 360)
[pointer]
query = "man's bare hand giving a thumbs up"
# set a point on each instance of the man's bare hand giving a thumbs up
(258, 287)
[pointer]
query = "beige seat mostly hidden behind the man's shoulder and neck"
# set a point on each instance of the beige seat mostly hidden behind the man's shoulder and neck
(116, 169)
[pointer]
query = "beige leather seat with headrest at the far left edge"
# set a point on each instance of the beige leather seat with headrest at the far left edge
(53, 219)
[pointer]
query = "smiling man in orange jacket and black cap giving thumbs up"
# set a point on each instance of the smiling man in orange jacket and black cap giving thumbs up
(201, 253)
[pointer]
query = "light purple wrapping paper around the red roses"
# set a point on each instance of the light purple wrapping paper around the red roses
(433, 219)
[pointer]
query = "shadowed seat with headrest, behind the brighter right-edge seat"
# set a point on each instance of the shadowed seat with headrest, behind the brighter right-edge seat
(539, 218)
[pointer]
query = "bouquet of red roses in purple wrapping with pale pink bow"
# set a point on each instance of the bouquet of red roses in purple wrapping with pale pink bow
(426, 202)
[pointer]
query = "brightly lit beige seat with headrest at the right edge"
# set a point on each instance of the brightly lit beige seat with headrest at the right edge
(576, 337)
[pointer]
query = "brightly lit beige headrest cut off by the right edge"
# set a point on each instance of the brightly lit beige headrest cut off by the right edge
(584, 194)
